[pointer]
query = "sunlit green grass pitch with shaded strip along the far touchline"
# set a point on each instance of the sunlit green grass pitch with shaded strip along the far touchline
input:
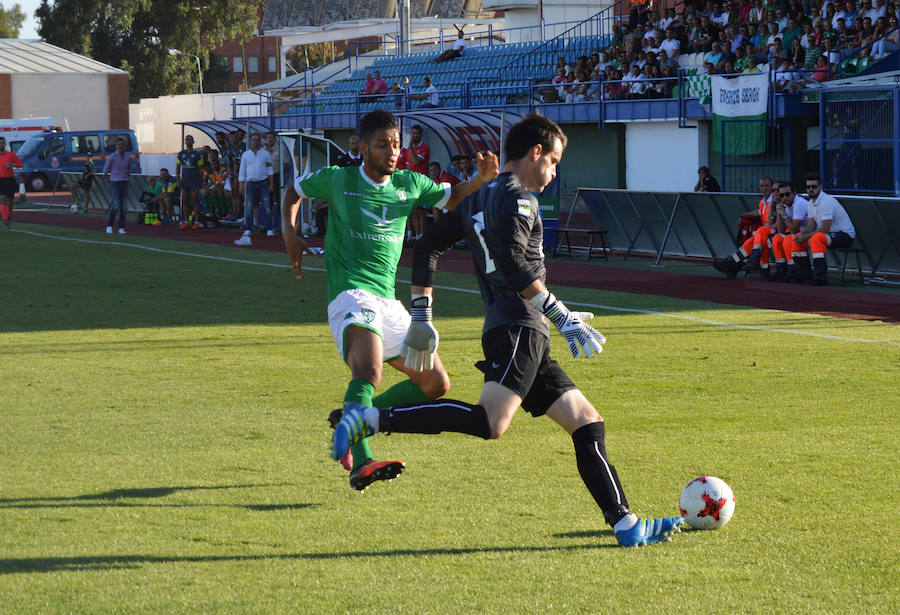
(163, 448)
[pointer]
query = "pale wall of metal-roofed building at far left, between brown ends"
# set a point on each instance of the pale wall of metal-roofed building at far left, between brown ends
(80, 100)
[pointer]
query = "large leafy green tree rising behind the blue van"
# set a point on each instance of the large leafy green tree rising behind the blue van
(135, 35)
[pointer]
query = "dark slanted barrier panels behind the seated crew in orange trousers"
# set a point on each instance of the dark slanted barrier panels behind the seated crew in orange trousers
(704, 224)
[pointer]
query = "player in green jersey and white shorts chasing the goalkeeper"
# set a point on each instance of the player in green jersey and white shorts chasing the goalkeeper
(368, 209)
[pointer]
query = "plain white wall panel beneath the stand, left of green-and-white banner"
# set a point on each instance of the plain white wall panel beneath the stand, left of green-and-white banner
(661, 156)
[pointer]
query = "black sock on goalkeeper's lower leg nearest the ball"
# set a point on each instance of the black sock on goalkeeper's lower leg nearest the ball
(598, 474)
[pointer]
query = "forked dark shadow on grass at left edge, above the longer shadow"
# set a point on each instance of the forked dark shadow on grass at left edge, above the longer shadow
(113, 498)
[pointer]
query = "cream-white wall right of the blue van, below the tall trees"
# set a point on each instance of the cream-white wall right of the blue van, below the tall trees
(153, 119)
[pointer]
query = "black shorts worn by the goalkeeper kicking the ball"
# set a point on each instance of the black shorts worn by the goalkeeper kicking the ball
(519, 358)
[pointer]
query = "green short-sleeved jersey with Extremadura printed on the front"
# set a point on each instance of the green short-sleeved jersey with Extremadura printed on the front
(367, 223)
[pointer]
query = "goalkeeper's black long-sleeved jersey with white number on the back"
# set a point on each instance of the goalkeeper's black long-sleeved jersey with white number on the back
(502, 224)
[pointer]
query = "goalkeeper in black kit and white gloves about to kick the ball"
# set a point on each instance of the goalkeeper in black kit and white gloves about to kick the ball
(503, 227)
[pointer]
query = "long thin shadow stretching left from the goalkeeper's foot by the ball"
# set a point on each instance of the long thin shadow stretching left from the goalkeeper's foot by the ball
(118, 562)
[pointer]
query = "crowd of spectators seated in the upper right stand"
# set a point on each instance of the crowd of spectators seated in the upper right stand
(803, 41)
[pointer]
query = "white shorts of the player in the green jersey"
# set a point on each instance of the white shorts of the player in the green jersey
(386, 317)
